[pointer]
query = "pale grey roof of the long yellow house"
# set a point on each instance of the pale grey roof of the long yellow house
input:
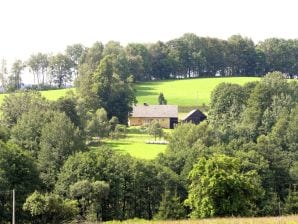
(155, 111)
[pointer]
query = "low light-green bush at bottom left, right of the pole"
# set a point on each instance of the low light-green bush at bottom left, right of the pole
(50, 208)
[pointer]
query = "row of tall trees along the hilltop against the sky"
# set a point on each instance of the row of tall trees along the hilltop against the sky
(187, 56)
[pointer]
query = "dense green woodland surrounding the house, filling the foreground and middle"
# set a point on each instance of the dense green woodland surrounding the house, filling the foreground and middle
(242, 161)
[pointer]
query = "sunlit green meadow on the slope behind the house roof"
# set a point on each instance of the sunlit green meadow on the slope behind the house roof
(187, 92)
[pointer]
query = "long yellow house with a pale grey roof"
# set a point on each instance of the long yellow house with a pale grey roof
(166, 115)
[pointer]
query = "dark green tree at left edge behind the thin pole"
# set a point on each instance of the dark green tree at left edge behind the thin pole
(17, 171)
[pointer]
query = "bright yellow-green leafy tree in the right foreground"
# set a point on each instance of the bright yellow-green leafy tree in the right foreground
(219, 188)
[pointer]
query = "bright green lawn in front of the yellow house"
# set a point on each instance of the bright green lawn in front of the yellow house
(135, 144)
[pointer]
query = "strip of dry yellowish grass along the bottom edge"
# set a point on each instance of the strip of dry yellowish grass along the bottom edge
(263, 220)
